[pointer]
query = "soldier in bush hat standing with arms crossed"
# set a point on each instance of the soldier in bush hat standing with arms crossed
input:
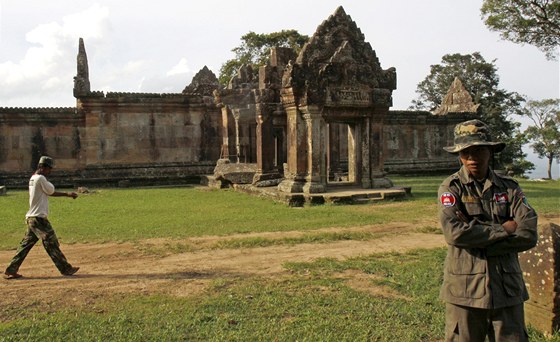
(486, 221)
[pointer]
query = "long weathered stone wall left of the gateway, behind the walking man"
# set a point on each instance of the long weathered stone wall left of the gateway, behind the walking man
(143, 138)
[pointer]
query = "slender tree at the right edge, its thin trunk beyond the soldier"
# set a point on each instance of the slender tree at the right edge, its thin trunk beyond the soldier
(545, 133)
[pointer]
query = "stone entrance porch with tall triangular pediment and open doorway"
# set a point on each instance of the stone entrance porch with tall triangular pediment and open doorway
(336, 80)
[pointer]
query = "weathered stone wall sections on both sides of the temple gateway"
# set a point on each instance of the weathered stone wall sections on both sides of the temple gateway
(173, 138)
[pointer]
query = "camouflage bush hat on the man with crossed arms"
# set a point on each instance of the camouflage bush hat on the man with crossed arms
(473, 133)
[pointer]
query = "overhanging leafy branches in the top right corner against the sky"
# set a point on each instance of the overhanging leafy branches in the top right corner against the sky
(535, 22)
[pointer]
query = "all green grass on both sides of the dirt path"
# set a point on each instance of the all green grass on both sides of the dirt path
(313, 302)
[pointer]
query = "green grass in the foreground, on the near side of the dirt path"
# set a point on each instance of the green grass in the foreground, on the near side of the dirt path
(314, 303)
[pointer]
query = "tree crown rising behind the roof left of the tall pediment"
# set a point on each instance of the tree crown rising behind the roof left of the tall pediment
(255, 50)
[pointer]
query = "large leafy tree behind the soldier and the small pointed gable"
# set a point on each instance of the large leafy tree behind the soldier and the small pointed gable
(480, 78)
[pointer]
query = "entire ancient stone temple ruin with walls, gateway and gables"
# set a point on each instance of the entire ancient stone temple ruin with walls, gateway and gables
(306, 124)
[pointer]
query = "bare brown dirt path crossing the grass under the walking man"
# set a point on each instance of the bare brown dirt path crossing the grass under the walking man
(125, 268)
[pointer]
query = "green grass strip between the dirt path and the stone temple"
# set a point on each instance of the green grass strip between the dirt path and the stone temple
(136, 214)
